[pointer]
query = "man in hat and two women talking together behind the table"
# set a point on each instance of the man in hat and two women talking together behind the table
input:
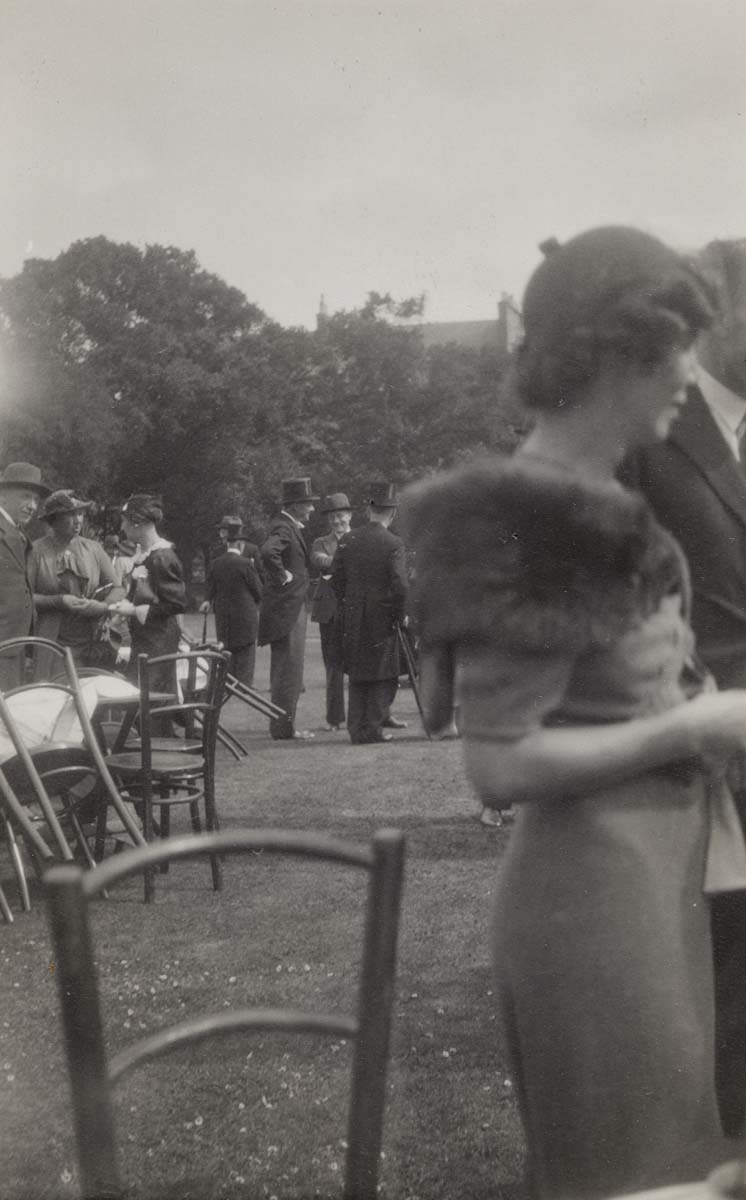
(65, 587)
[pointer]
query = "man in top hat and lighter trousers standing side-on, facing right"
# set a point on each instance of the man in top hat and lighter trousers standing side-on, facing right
(282, 619)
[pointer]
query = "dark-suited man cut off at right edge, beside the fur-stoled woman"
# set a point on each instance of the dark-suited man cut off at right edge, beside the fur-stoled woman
(696, 484)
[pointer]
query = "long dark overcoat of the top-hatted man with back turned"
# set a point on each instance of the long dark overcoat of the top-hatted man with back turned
(370, 581)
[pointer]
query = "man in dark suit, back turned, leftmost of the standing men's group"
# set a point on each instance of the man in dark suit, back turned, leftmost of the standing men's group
(234, 591)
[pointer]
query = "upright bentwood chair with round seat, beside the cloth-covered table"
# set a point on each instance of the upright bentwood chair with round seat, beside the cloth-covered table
(166, 772)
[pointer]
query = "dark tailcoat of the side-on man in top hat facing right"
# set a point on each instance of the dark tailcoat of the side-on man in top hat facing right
(285, 550)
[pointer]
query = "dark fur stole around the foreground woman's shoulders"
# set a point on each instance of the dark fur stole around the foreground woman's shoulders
(521, 553)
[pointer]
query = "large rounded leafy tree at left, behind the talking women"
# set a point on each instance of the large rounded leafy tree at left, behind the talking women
(157, 352)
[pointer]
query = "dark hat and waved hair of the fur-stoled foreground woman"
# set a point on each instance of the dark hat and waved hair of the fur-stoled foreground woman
(611, 297)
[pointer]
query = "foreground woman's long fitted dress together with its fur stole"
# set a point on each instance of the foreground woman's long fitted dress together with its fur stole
(567, 605)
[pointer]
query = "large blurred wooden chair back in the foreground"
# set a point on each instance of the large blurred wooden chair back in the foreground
(93, 1076)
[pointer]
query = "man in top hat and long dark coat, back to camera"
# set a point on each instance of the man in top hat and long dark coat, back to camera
(370, 581)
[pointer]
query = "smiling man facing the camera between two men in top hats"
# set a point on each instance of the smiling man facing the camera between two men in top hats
(324, 609)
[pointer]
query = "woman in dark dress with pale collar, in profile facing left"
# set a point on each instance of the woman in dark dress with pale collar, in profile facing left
(157, 593)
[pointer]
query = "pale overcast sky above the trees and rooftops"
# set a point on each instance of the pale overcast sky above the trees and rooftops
(315, 147)
